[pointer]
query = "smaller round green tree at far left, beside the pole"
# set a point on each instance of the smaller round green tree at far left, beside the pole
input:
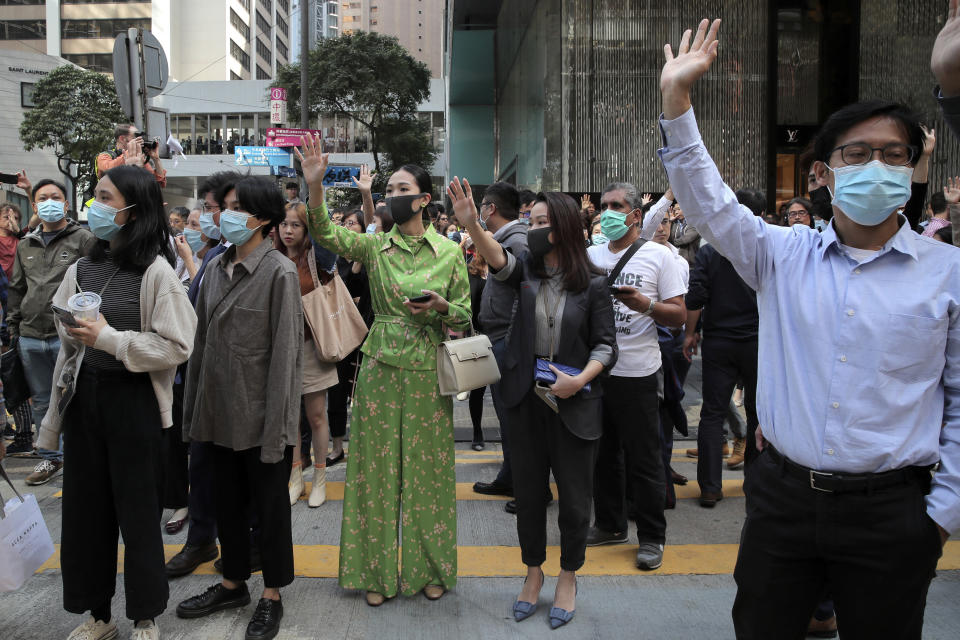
(75, 115)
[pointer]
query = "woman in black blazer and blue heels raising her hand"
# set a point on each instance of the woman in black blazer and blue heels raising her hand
(563, 309)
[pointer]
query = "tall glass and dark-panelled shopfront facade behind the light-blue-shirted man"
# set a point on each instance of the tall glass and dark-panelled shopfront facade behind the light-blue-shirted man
(576, 84)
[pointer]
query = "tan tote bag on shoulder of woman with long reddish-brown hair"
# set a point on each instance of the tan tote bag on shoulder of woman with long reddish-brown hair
(336, 324)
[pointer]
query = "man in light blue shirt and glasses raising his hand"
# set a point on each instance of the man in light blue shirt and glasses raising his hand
(841, 496)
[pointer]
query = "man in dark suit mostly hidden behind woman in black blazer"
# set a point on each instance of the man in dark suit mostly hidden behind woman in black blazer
(499, 209)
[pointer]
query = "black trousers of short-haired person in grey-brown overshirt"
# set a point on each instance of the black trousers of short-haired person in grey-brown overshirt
(246, 485)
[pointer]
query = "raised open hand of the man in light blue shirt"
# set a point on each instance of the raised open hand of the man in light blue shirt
(682, 71)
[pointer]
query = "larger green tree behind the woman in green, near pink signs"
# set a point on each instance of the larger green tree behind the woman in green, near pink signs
(373, 80)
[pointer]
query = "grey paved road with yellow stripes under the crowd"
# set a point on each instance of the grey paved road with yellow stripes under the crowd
(689, 597)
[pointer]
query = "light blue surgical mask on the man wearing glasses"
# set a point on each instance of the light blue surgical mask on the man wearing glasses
(869, 193)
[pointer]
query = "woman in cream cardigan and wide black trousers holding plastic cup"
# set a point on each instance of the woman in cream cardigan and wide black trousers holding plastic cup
(112, 399)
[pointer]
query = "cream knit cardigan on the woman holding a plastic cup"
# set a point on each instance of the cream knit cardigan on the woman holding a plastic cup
(169, 324)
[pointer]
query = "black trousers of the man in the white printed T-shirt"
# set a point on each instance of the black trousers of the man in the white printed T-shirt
(630, 452)
